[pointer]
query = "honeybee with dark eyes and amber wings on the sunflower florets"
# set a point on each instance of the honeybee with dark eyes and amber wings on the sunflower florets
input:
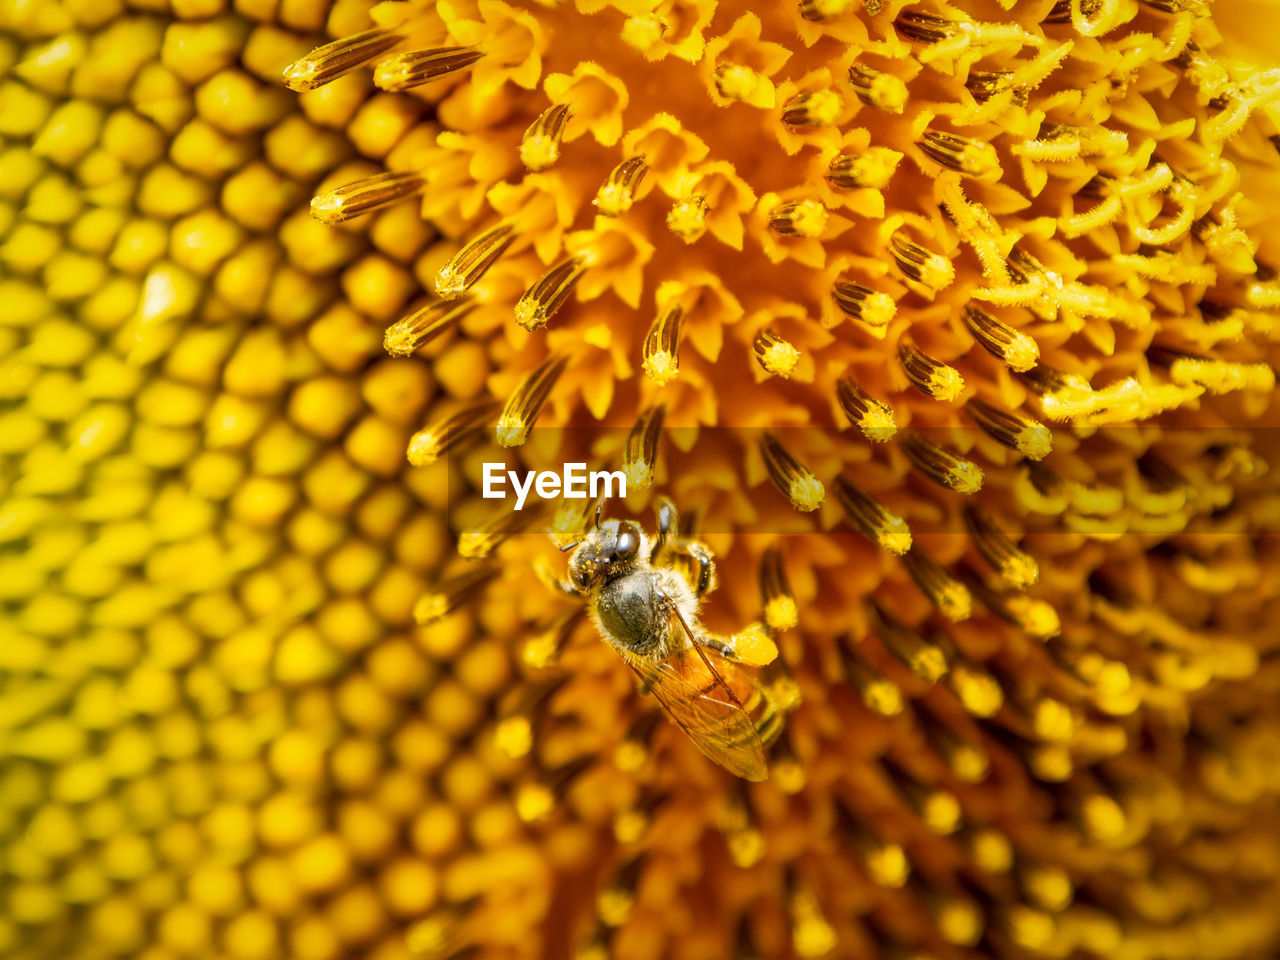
(650, 615)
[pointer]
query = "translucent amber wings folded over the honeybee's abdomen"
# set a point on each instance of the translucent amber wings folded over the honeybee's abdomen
(697, 697)
